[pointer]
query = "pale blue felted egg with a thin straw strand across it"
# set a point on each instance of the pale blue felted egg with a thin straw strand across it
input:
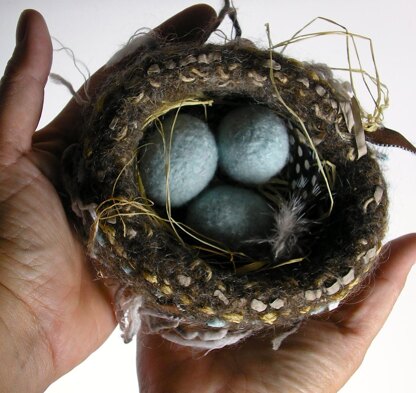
(193, 160)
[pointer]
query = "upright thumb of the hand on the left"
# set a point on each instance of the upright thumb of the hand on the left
(22, 87)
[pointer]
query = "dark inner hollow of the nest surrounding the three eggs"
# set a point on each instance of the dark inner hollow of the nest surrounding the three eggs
(287, 189)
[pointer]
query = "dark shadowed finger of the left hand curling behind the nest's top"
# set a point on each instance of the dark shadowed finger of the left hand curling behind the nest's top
(188, 25)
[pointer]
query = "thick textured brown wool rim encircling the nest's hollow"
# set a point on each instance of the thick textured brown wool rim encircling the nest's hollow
(101, 173)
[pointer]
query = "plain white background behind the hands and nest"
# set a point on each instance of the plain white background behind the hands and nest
(96, 29)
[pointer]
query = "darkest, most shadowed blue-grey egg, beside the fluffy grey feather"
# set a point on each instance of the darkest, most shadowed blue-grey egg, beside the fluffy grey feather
(230, 215)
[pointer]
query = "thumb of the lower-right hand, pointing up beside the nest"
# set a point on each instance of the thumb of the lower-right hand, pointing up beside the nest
(365, 314)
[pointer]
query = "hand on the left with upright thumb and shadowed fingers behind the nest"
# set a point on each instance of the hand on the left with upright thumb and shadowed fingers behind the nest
(53, 313)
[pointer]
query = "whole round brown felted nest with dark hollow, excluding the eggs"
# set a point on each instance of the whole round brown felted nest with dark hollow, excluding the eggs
(193, 291)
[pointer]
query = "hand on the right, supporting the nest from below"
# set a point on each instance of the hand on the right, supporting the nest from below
(319, 358)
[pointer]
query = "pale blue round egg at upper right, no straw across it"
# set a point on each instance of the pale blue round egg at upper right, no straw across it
(253, 144)
